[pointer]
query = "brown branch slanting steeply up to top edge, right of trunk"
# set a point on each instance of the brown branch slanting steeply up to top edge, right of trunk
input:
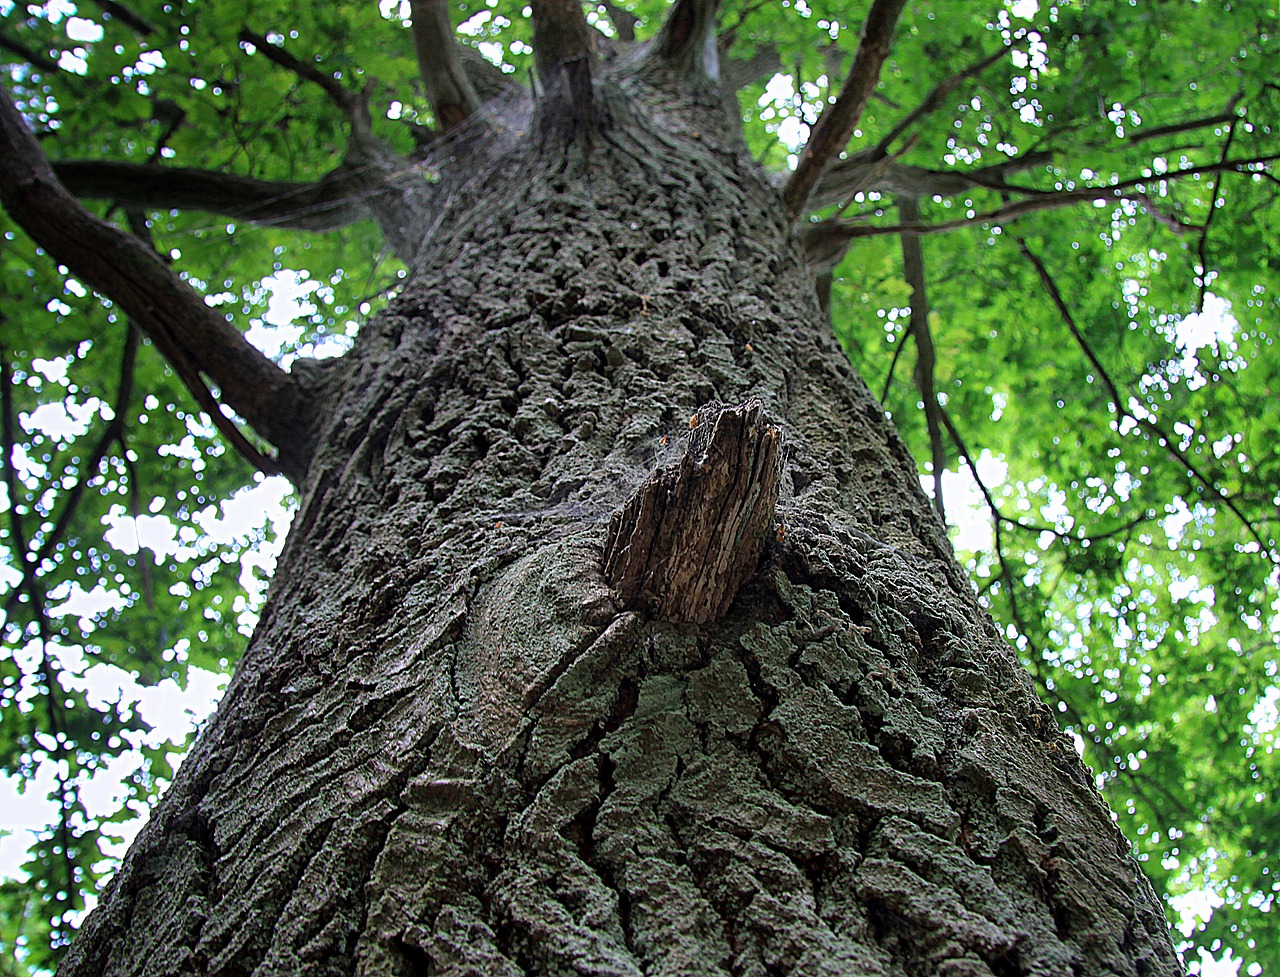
(838, 122)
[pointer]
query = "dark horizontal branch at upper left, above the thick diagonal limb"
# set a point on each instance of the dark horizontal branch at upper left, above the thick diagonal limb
(326, 206)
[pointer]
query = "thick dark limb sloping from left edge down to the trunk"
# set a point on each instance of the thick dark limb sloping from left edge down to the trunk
(164, 307)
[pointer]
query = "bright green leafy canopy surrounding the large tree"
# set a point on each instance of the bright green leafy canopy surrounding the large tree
(1132, 563)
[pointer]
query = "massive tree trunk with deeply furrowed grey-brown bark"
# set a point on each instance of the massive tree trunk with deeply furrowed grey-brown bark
(452, 750)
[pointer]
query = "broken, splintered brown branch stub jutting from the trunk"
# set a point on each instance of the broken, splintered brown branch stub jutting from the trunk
(692, 536)
